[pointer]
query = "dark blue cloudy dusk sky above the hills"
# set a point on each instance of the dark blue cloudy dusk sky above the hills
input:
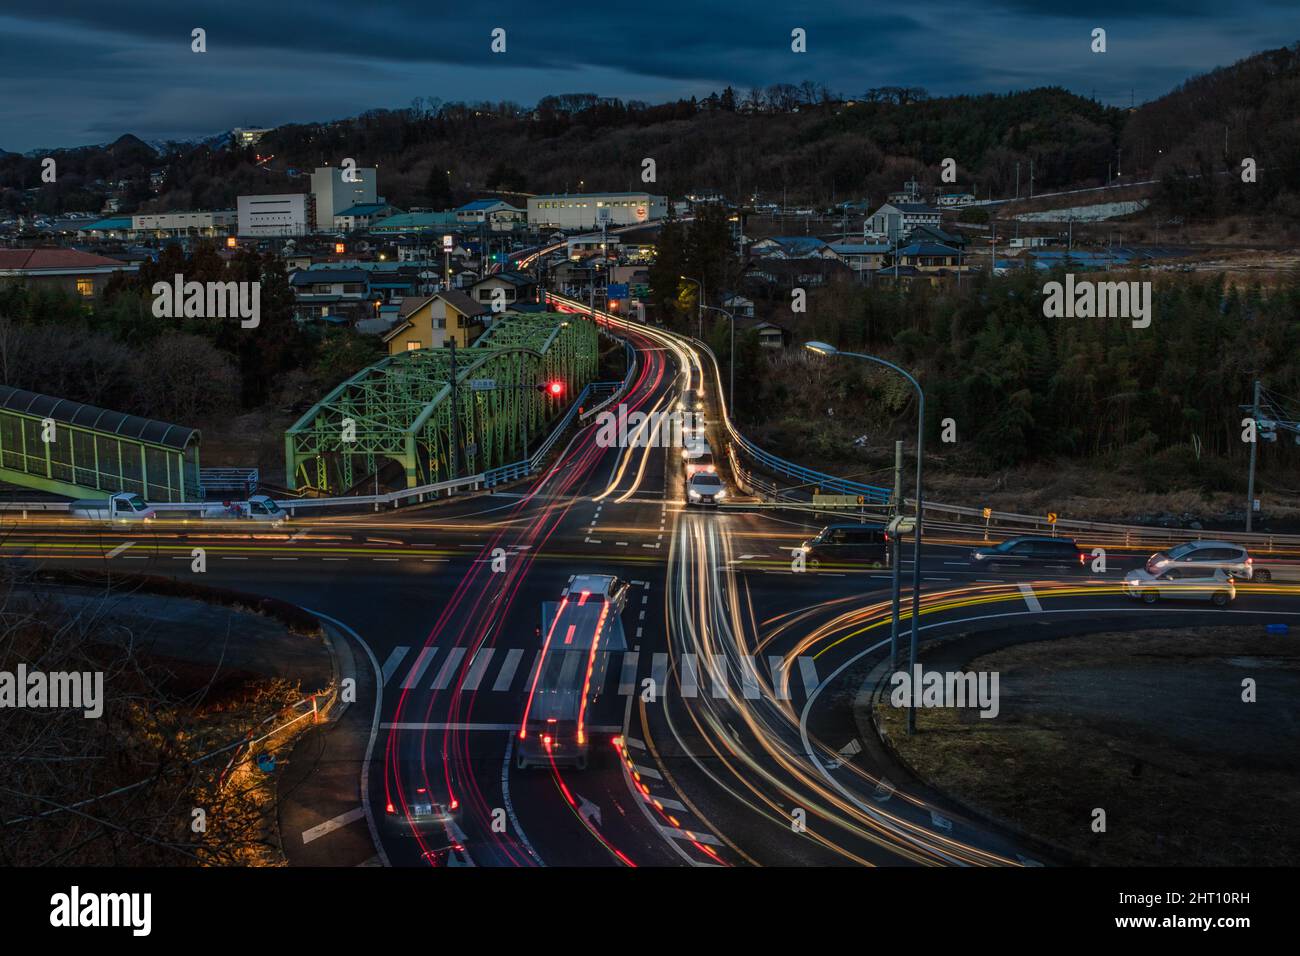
(80, 73)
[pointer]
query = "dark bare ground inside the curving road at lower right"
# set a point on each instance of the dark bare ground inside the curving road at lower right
(1149, 726)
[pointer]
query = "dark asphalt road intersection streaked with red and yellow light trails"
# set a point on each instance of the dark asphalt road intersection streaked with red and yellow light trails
(725, 734)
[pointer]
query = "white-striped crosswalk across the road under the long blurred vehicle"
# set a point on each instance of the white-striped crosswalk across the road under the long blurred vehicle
(512, 671)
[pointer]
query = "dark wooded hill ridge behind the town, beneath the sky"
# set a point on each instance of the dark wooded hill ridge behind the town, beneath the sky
(803, 144)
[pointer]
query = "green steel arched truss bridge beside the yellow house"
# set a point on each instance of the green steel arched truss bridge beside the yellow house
(441, 413)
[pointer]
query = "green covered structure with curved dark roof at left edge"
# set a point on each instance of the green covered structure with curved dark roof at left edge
(84, 452)
